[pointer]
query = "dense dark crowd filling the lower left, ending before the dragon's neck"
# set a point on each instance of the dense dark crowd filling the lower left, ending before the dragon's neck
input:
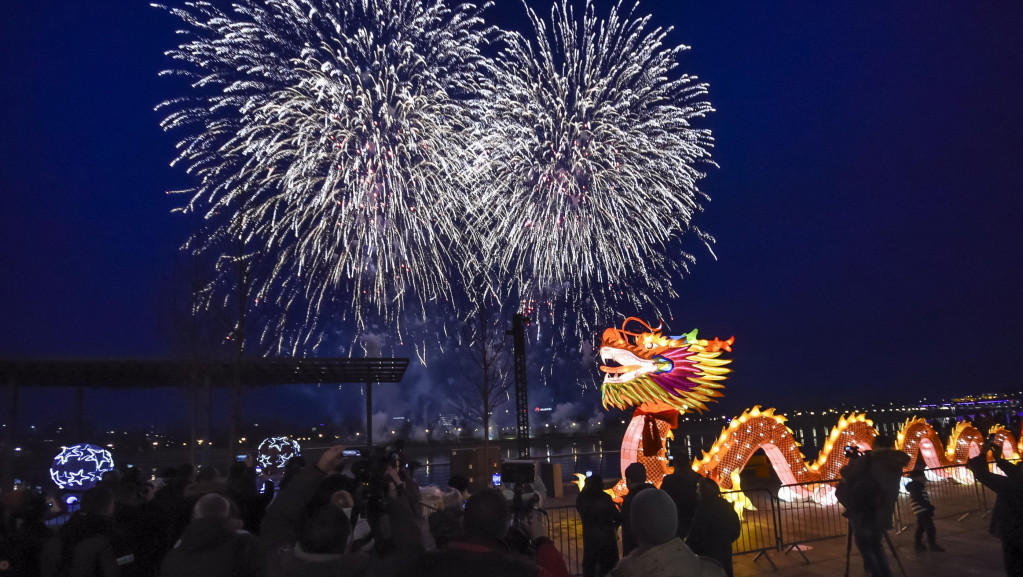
(330, 518)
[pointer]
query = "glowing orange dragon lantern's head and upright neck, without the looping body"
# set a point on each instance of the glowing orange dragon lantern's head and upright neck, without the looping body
(663, 377)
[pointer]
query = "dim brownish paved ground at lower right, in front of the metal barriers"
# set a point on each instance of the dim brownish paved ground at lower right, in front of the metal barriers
(970, 551)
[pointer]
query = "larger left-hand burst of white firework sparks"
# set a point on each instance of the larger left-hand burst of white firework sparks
(333, 138)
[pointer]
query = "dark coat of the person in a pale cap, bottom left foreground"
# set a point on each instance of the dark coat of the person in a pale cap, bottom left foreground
(214, 548)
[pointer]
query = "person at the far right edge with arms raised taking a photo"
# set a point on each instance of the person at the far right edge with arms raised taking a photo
(1007, 516)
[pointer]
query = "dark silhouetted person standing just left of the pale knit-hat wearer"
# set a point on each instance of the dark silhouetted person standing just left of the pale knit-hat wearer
(600, 528)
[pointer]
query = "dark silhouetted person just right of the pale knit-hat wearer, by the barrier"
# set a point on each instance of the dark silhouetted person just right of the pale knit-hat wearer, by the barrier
(716, 526)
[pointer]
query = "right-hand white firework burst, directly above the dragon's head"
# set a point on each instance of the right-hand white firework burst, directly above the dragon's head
(595, 164)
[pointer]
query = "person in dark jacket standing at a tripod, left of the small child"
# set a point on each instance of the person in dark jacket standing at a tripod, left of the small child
(869, 491)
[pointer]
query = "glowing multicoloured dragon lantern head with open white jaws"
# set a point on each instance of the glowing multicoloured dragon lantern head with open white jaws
(649, 368)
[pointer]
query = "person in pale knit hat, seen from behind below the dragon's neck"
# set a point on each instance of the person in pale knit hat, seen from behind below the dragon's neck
(660, 553)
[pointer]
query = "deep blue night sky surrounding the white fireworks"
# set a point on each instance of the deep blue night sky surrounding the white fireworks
(868, 208)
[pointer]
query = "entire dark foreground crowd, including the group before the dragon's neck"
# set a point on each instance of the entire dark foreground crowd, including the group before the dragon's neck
(347, 518)
